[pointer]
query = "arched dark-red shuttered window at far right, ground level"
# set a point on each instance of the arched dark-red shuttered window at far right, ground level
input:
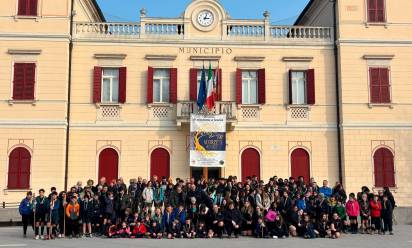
(384, 168)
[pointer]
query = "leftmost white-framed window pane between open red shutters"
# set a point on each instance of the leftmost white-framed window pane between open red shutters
(110, 85)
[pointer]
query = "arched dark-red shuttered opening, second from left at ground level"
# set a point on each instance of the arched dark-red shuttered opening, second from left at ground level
(108, 164)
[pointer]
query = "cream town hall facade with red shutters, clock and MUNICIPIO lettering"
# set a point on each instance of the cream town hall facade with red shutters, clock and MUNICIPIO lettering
(326, 98)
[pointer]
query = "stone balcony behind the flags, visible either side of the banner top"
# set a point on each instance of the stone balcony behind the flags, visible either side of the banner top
(185, 109)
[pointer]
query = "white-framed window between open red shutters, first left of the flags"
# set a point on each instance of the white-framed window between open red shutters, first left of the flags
(161, 86)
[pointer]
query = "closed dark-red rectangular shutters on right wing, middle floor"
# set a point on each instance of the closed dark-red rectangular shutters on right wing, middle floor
(379, 85)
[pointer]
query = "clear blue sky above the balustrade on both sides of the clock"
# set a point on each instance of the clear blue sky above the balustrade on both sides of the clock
(283, 12)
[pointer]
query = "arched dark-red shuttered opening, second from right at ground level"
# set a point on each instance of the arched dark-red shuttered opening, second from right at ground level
(300, 164)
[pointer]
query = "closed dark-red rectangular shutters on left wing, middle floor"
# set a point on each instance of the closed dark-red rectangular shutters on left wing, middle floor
(23, 81)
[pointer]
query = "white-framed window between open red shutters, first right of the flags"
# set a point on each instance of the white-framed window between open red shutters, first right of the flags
(249, 87)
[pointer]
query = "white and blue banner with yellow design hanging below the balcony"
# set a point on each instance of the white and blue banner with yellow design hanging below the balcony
(207, 140)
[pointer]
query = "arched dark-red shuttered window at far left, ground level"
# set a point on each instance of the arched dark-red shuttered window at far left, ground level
(19, 169)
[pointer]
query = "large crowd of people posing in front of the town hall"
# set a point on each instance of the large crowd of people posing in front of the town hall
(163, 208)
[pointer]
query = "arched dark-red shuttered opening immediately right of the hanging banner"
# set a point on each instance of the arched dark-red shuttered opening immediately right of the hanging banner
(250, 162)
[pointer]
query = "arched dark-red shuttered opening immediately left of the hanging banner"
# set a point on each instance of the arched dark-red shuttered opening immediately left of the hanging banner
(160, 163)
